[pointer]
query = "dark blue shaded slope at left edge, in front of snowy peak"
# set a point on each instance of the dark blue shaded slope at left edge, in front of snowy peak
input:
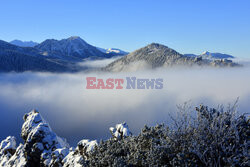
(20, 59)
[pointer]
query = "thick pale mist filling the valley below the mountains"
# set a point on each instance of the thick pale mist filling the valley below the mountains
(76, 113)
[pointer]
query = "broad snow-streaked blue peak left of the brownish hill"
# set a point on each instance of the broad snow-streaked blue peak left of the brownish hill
(73, 48)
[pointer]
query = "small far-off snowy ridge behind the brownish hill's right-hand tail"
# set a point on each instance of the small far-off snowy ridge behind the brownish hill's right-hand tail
(212, 56)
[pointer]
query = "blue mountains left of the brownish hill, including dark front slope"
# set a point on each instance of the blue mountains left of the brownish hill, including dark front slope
(51, 55)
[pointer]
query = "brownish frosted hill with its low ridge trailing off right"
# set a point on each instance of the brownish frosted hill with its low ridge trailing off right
(157, 55)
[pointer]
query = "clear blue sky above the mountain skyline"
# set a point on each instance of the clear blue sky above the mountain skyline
(188, 26)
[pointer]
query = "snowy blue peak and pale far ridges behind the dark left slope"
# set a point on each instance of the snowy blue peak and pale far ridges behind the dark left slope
(70, 48)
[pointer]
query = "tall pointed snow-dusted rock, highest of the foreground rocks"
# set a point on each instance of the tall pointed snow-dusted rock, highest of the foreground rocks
(40, 141)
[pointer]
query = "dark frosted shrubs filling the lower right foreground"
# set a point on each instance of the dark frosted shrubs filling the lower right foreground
(213, 138)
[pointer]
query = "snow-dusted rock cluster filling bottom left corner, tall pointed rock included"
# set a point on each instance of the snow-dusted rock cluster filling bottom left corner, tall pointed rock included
(41, 145)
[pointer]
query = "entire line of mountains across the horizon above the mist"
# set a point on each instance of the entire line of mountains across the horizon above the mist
(64, 56)
